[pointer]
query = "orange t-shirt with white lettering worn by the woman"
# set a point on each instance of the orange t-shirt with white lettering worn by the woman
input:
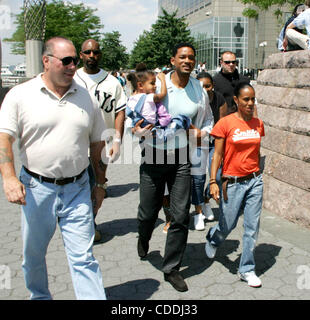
(242, 144)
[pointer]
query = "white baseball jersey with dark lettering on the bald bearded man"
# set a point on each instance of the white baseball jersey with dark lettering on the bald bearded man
(106, 93)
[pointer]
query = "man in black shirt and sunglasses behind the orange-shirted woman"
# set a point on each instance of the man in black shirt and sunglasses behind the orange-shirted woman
(227, 79)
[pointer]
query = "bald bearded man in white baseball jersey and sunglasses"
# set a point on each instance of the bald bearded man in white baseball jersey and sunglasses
(108, 95)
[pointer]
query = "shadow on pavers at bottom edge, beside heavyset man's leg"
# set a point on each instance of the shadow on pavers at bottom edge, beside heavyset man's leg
(133, 290)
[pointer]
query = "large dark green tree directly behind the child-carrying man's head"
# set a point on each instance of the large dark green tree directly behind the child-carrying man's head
(154, 47)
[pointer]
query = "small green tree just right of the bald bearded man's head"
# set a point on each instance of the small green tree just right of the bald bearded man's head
(114, 55)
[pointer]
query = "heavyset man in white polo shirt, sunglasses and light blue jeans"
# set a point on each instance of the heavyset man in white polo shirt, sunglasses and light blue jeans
(56, 123)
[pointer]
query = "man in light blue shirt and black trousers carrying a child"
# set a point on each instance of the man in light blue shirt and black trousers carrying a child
(168, 163)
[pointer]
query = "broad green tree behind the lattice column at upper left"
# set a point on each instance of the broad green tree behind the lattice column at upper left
(74, 21)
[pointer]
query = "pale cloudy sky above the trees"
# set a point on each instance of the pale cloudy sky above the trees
(129, 17)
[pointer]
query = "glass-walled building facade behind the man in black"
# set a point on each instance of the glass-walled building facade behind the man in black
(213, 34)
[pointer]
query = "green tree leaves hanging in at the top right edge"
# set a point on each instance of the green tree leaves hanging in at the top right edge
(265, 5)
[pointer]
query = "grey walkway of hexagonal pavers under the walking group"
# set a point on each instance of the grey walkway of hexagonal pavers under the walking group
(282, 254)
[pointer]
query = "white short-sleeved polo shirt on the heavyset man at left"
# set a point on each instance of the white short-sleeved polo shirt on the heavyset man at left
(54, 134)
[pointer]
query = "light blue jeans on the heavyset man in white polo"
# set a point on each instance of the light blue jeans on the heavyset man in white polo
(70, 206)
